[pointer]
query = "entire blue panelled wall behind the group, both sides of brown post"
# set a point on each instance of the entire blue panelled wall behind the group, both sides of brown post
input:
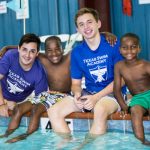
(57, 16)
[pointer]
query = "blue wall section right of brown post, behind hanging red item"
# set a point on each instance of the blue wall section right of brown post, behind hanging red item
(138, 23)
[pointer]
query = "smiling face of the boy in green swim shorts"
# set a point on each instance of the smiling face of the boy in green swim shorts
(129, 48)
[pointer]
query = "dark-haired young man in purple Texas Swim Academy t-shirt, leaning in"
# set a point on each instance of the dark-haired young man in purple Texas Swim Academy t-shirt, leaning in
(21, 74)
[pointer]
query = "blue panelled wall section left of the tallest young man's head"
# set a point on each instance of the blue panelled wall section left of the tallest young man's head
(46, 17)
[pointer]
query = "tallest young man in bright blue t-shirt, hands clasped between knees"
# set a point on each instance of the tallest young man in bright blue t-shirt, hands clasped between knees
(93, 59)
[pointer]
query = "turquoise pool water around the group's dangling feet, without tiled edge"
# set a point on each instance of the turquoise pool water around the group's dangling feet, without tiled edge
(48, 140)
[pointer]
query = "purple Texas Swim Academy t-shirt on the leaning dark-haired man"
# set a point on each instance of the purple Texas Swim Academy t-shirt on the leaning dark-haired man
(17, 83)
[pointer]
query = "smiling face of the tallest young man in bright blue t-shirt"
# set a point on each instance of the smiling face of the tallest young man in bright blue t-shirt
(88, 26)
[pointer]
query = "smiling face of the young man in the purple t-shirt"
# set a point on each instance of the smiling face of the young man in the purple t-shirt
(27, 55)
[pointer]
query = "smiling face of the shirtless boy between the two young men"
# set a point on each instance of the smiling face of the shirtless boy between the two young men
(54, 51)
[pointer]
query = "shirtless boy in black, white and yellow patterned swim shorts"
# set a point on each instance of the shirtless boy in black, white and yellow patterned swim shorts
(57, 67)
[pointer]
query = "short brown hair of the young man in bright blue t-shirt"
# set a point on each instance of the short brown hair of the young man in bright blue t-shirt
(83, 11)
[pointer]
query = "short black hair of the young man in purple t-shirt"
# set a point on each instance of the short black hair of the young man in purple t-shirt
(28, 38)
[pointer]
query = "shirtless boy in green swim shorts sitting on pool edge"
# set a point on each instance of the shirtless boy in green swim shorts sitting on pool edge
(136, 74)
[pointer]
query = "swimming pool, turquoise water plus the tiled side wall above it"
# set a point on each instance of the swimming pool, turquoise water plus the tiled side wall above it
(119, 137)
